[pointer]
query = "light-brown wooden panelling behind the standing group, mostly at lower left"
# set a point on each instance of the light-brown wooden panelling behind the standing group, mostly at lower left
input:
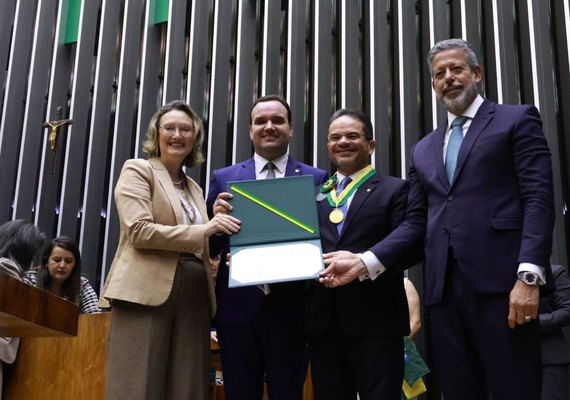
(71, 368)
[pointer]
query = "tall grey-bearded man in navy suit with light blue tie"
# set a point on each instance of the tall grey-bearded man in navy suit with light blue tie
(482, 195)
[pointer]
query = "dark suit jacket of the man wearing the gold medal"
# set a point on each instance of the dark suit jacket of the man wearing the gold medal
(367, 308)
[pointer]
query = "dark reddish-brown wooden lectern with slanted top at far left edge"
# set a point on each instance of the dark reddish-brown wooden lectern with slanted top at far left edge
(28, 311)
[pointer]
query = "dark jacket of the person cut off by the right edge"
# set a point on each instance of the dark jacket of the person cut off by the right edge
(554, 313)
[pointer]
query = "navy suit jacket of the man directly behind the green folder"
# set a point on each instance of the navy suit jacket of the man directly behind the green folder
(240, 305)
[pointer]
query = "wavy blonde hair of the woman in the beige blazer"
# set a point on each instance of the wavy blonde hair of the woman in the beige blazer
(151, 147)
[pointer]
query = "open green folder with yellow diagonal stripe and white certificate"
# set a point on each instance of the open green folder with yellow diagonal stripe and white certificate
(279, 239)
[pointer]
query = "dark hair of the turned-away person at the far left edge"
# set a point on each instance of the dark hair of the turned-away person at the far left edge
(19, 241)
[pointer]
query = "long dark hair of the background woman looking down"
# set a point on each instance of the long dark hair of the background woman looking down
(71, 289)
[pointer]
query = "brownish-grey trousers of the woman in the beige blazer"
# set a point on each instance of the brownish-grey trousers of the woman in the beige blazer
(158, 353)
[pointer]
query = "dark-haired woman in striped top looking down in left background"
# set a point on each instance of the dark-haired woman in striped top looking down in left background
(60, 274)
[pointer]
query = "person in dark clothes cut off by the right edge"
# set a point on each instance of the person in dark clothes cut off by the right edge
(554, 314)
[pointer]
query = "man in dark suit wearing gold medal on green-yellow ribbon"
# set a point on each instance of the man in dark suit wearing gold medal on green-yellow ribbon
(356, 332)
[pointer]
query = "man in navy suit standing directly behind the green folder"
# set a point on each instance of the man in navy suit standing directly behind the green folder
(261, 334)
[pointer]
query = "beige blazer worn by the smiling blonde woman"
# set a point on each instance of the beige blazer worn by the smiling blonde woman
(152, 235)
